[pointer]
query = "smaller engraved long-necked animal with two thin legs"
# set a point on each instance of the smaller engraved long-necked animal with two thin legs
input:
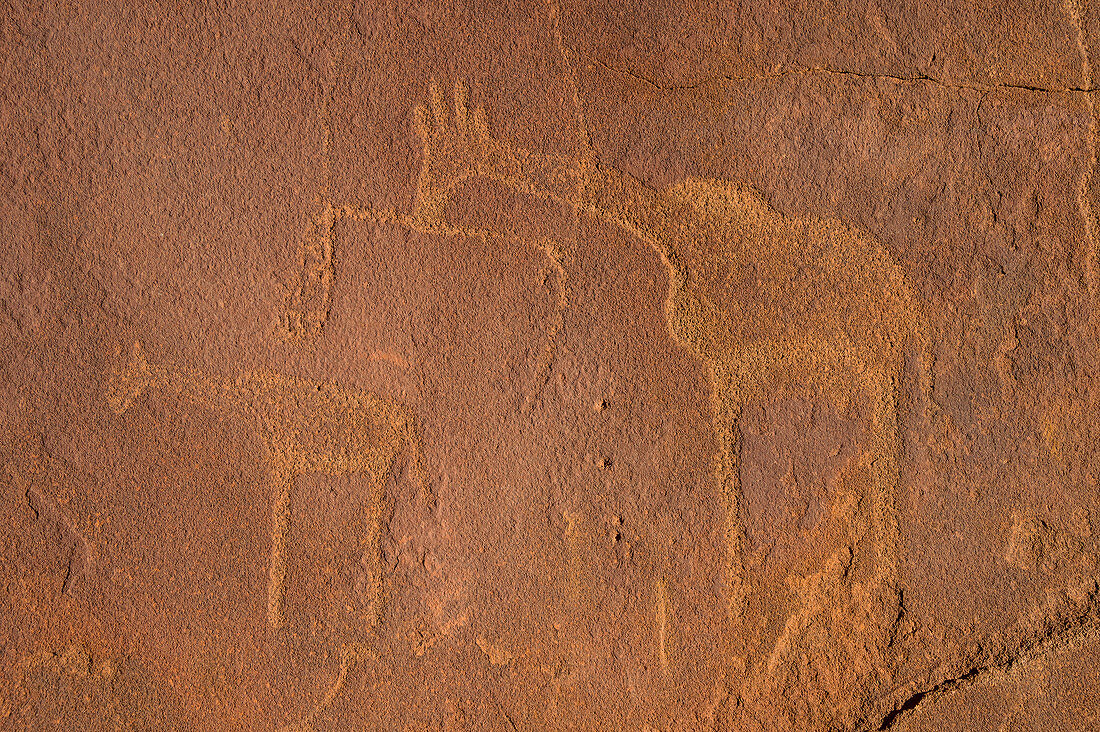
(307, 428)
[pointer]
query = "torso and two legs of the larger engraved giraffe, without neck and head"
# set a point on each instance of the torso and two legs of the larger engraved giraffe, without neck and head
(772, 304)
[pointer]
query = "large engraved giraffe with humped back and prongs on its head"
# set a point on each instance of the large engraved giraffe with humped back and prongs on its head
(766, 302)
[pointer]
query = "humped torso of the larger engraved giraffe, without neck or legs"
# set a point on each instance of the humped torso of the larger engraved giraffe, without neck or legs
(758, 290)
